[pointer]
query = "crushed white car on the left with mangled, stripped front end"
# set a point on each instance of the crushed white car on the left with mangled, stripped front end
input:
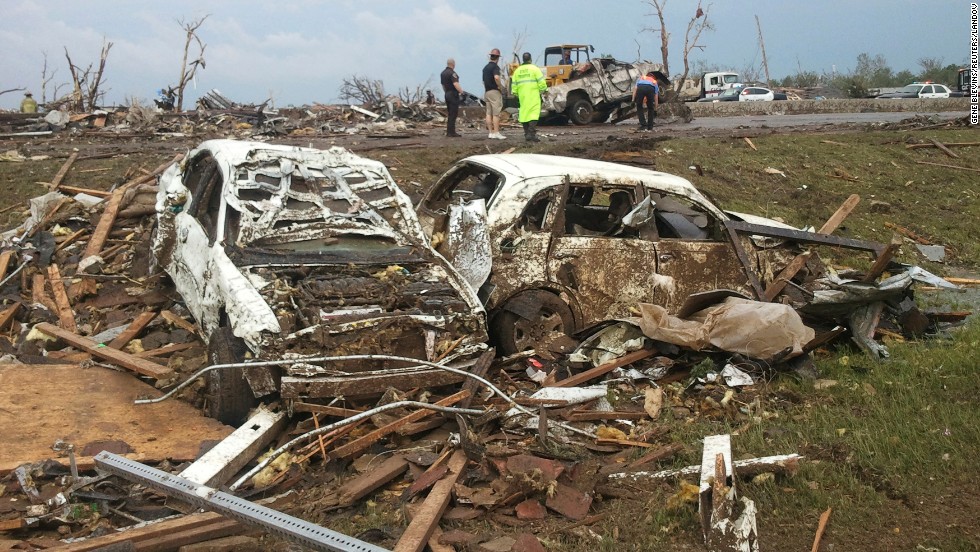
(290, 253)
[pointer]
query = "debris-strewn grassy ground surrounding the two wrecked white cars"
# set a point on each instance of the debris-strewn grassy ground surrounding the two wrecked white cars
(618, 442)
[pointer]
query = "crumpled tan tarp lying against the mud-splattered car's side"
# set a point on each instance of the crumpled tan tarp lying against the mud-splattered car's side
(752, 328)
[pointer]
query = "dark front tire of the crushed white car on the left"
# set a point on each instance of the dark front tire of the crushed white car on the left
(229, 397)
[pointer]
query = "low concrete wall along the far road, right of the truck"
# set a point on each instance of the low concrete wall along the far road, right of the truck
(791, 107)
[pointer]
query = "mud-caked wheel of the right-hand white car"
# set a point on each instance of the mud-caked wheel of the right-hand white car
(514, 332)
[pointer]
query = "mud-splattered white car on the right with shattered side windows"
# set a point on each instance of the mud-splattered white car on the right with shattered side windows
(560, 244)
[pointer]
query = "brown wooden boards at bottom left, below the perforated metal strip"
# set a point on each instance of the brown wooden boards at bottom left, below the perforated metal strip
(164, 535)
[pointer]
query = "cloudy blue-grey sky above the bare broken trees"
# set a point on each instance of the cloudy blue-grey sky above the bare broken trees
(298, 51)
